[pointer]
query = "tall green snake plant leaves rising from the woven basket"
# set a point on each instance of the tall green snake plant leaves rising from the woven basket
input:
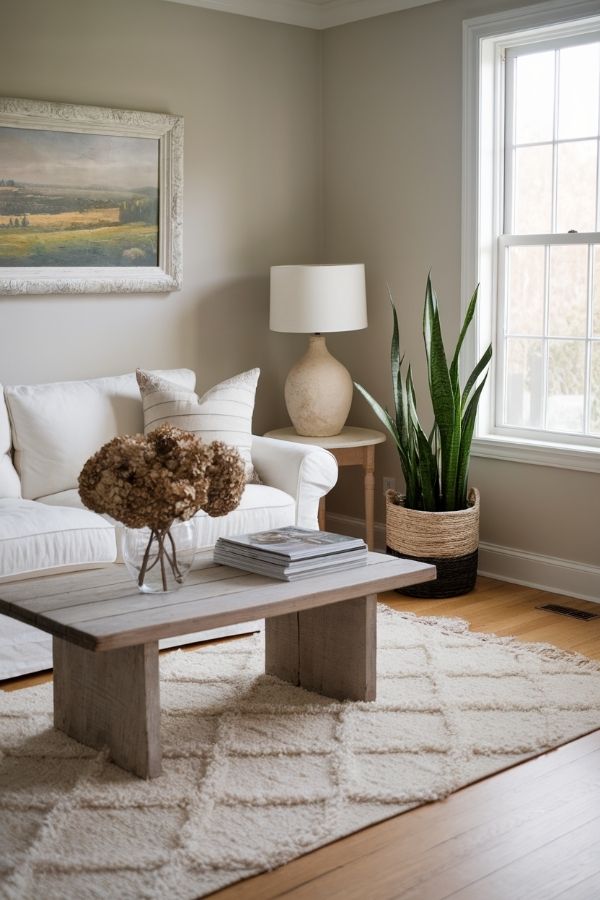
(435, 466)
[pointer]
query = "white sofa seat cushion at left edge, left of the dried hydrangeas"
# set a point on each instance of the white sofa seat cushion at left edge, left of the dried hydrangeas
(36, 538)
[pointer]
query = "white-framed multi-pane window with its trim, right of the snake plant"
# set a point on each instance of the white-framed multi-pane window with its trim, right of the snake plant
(531, 230)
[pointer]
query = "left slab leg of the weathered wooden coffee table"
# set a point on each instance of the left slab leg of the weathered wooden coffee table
(111, 699)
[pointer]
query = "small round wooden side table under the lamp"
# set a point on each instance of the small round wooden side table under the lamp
(351, 447)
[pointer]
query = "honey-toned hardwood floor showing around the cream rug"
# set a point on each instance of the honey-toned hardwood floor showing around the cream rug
(529, 833)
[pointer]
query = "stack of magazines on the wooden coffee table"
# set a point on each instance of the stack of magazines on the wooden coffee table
(291, 553)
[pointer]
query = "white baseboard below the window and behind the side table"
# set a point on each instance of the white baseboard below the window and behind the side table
(547, 573)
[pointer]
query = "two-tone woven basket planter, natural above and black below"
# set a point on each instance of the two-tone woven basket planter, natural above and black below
(447, 540)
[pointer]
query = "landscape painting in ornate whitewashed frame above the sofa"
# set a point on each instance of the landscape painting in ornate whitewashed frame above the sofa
(90, 199)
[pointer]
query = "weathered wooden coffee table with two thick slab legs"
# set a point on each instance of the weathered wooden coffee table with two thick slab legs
(320, 633)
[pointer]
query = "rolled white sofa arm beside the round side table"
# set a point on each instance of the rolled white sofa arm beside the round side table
(302, 470)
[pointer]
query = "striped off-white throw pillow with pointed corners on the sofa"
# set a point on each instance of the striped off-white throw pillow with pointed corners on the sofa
(223, 413)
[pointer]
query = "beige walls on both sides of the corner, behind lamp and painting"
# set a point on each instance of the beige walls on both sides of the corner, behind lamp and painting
(250, 94)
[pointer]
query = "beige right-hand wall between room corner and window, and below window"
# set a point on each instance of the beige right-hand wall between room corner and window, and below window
(392, 139)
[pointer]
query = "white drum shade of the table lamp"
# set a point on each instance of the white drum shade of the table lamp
(316, 299)
